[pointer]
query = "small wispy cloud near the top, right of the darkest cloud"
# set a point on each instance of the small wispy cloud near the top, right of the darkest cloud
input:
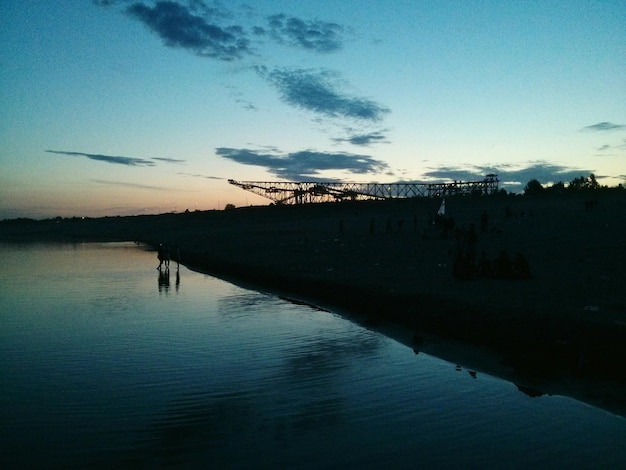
(317, 36)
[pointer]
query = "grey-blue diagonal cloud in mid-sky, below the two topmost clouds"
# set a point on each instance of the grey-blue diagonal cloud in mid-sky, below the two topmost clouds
(318, 91)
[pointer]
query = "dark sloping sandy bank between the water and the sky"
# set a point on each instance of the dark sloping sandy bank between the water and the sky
(387, 262)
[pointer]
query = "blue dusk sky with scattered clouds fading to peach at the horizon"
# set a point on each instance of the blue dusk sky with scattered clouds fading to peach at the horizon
(123, 107)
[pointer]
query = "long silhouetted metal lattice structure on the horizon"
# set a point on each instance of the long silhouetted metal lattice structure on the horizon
(304, 192)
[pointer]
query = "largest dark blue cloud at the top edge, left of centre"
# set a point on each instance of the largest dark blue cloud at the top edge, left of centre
(192, 29)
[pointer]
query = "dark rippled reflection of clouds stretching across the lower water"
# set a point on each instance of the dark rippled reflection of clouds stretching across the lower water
(303, 395)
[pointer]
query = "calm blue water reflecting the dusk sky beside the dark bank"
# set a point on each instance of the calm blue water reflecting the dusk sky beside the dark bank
(103, 365)
